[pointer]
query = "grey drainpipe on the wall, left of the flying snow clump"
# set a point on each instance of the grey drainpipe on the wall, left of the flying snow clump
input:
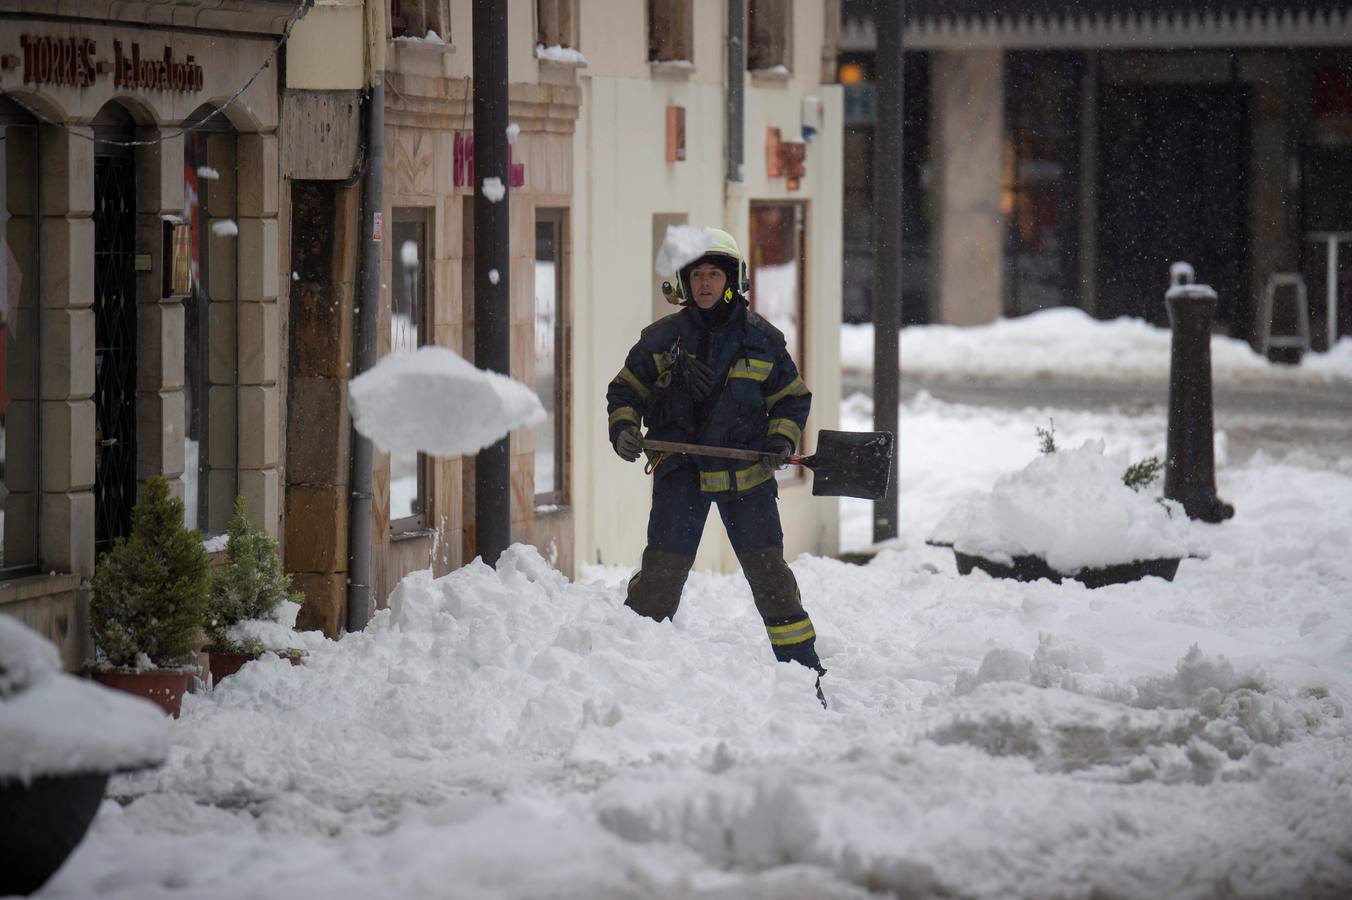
(364, 357)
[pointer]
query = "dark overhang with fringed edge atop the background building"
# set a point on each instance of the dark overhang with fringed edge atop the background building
(969, 25)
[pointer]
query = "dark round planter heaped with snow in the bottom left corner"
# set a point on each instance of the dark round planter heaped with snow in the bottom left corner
(63, 737)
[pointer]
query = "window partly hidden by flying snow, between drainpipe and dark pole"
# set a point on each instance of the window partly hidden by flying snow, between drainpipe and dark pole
(408, 333)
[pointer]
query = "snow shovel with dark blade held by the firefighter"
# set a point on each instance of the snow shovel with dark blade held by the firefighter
(847, 464)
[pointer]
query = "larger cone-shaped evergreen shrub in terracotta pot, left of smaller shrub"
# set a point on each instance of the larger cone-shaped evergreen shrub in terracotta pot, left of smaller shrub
(151, 602)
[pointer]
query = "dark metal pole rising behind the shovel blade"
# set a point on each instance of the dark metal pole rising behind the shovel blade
(888, 241)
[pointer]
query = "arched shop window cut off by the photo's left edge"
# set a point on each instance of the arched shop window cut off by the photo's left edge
(20, 456)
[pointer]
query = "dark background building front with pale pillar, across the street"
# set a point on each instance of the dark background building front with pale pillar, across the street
(1066, 153)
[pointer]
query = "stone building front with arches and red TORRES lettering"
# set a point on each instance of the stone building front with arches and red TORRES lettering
(140, 276)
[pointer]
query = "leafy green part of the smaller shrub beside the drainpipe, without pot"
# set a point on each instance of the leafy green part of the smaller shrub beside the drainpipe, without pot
(249, 586)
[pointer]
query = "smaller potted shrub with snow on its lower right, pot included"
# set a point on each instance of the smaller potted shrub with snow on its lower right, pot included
(252, 607)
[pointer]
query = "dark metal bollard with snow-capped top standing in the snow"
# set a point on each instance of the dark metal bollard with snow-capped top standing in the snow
(1190, 457)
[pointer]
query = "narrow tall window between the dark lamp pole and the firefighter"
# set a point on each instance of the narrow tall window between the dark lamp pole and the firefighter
(550, 356)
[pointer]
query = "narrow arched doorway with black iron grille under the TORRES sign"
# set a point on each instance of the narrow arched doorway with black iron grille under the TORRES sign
(116, 325)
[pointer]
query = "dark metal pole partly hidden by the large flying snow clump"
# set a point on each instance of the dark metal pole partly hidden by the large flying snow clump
(493, 236)
